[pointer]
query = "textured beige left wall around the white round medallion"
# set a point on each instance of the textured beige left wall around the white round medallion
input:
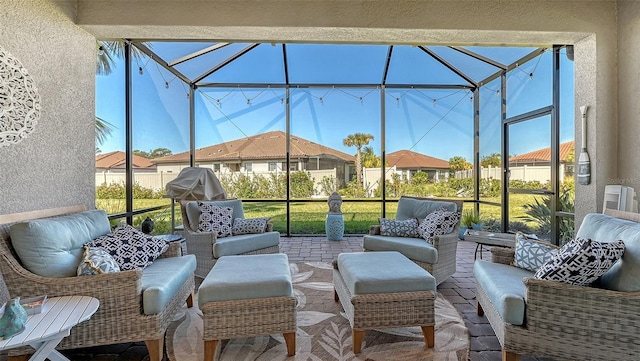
(54, 165)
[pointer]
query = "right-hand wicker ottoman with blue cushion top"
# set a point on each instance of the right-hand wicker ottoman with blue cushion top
(384, 290)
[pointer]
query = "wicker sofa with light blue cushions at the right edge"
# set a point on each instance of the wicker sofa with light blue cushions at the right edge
(552, 319)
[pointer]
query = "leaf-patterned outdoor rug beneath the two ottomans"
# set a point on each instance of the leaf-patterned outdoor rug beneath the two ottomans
(323, 332)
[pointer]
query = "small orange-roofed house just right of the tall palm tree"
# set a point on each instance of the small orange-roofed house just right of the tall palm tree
(408, 163)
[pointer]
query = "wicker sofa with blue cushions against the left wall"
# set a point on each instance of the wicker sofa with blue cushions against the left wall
(127, 298)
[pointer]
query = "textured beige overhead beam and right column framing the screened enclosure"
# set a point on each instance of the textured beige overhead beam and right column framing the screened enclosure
(591, 25)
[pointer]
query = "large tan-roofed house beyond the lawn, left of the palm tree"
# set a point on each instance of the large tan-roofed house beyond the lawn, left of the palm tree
(263, 153)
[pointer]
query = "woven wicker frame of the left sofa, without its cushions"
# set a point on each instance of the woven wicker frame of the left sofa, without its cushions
(120, 317)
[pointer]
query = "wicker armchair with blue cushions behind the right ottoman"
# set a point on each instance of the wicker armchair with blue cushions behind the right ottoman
(438, 259)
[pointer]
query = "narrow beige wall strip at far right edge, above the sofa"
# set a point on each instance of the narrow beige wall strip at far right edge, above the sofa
(628, 95)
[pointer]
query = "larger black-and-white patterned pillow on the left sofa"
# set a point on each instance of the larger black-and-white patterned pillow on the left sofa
(130, 248)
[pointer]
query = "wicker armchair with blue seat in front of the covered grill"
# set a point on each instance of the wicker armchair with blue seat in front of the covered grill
(207, 247)
